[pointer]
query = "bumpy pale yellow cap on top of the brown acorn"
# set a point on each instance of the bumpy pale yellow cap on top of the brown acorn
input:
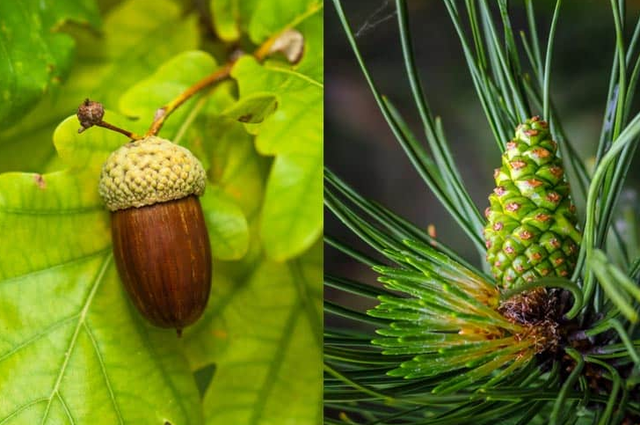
(149, 171)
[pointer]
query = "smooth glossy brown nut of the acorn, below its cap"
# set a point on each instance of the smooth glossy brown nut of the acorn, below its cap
(163, 257)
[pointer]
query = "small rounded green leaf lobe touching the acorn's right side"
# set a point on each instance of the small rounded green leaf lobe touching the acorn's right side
(228, 228)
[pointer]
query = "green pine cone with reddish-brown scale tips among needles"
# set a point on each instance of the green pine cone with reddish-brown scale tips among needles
(532, 229)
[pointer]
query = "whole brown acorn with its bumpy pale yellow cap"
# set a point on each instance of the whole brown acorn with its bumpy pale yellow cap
(160, 240)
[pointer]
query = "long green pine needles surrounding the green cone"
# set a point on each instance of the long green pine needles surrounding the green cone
(447, 344)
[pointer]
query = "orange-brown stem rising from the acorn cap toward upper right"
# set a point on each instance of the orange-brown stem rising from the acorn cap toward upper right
(219, 75)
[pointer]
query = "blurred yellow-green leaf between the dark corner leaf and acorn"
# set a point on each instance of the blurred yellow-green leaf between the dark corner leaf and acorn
(129, 49)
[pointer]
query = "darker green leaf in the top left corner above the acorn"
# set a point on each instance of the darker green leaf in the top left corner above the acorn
(34, 54)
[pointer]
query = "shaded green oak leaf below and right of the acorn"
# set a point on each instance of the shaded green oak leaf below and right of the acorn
(264, 335)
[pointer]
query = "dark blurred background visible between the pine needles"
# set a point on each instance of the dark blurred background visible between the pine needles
(361, 149)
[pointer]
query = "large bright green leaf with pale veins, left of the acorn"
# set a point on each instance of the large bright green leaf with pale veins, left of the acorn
(73, 349)
